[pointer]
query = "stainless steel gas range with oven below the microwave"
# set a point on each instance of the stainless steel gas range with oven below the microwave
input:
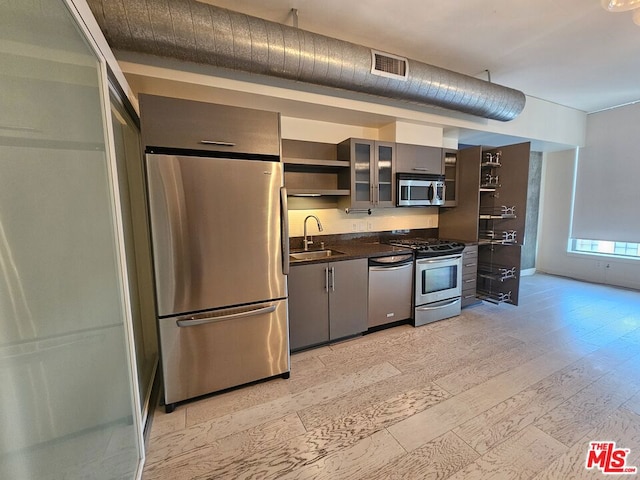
(438, 278)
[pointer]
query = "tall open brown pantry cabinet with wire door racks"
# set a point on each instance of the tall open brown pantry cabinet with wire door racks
(491, 210)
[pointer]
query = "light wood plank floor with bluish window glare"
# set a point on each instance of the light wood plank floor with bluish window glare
(499, 392)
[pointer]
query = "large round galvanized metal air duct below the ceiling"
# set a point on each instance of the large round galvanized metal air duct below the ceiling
(197, 32)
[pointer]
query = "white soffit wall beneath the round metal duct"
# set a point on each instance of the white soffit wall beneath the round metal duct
(541, 121)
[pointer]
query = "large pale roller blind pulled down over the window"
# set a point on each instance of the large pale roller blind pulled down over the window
(607, 190)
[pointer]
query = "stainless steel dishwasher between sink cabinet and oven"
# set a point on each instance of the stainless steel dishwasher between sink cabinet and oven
(390, 289)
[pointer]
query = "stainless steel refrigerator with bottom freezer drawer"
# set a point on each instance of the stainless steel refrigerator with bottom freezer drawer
(220, 251)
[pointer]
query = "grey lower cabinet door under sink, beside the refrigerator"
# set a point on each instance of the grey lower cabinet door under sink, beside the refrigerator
(308, 305)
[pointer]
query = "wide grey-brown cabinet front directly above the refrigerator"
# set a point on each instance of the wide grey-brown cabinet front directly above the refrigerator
(177, 123)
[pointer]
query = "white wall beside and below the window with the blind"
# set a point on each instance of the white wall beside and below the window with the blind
(555, 221)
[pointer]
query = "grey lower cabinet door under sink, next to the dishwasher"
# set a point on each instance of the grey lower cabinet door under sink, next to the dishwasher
(348, 295)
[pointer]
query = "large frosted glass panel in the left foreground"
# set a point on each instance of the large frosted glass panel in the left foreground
(67, 391)
